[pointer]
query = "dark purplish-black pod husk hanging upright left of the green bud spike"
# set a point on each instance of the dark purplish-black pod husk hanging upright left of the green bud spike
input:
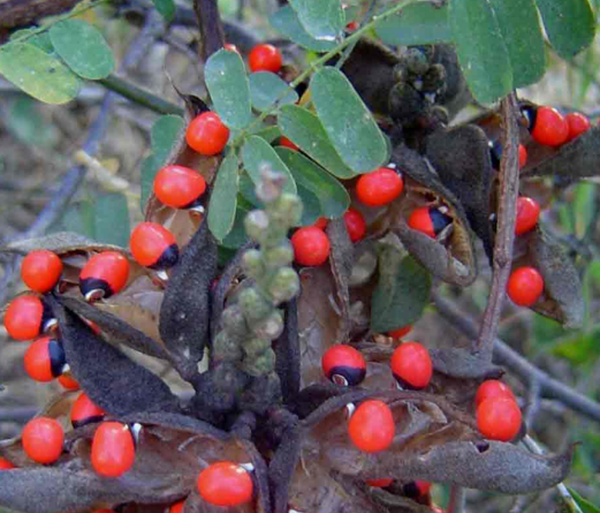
(185, 310)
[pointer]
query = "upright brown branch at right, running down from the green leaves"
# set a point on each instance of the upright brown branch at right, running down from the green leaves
(507, 214)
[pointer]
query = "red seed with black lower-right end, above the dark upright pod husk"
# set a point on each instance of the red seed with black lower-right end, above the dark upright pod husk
(150, 242)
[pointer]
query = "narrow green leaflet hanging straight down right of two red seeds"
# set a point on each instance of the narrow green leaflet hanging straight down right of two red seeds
(223, 201)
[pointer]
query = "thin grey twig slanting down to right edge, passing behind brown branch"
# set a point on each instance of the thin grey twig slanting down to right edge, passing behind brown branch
(504, 355)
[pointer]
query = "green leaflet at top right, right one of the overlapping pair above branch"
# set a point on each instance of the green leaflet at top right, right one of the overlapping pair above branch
(520, 28)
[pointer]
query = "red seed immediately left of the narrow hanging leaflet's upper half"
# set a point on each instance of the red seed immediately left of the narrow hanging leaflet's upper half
(179, 186)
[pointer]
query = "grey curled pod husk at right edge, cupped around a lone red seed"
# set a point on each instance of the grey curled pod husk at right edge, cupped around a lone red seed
(562, 299)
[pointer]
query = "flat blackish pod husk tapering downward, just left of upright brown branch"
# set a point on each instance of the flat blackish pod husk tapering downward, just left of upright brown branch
(461, 158)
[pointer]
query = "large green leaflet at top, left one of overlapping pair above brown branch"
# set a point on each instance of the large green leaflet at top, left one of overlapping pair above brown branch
(481, 50)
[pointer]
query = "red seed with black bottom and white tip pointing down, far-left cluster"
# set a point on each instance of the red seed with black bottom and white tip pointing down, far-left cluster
(103, 275)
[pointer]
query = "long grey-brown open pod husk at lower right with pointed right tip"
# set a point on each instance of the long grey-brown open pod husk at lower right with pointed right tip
(426, 448)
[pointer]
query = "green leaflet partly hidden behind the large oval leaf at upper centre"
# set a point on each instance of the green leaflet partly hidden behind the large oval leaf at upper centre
(305, 130)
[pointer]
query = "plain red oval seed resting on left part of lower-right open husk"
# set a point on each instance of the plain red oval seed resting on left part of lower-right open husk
(371, 427)
